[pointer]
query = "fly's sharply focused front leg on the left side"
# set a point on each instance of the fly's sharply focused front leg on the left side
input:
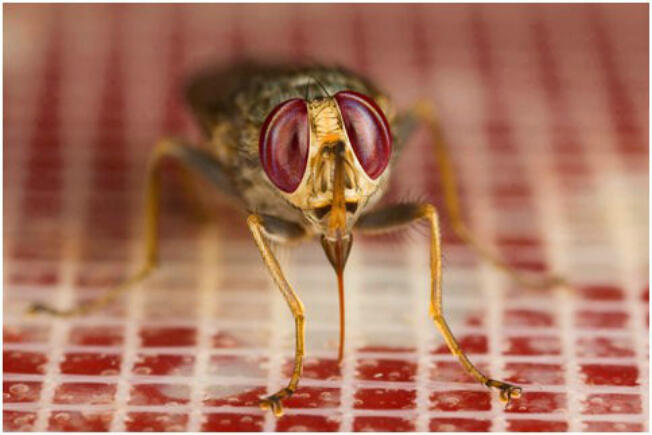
(259, 228)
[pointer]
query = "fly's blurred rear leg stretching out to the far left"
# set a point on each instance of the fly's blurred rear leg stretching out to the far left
(193, 159)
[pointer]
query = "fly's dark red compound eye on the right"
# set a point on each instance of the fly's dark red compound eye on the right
(368, 131)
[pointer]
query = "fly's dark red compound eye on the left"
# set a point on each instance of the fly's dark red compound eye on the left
(284, 143)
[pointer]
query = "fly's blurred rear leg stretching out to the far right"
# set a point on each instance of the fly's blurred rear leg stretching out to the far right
(407, 123)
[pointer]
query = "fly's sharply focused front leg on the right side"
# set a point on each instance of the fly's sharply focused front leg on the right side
(399, 215)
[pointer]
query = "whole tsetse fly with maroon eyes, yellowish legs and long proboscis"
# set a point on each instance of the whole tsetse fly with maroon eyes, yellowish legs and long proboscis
(308, 152)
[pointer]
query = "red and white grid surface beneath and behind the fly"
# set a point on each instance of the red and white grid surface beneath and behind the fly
(546, 112)
